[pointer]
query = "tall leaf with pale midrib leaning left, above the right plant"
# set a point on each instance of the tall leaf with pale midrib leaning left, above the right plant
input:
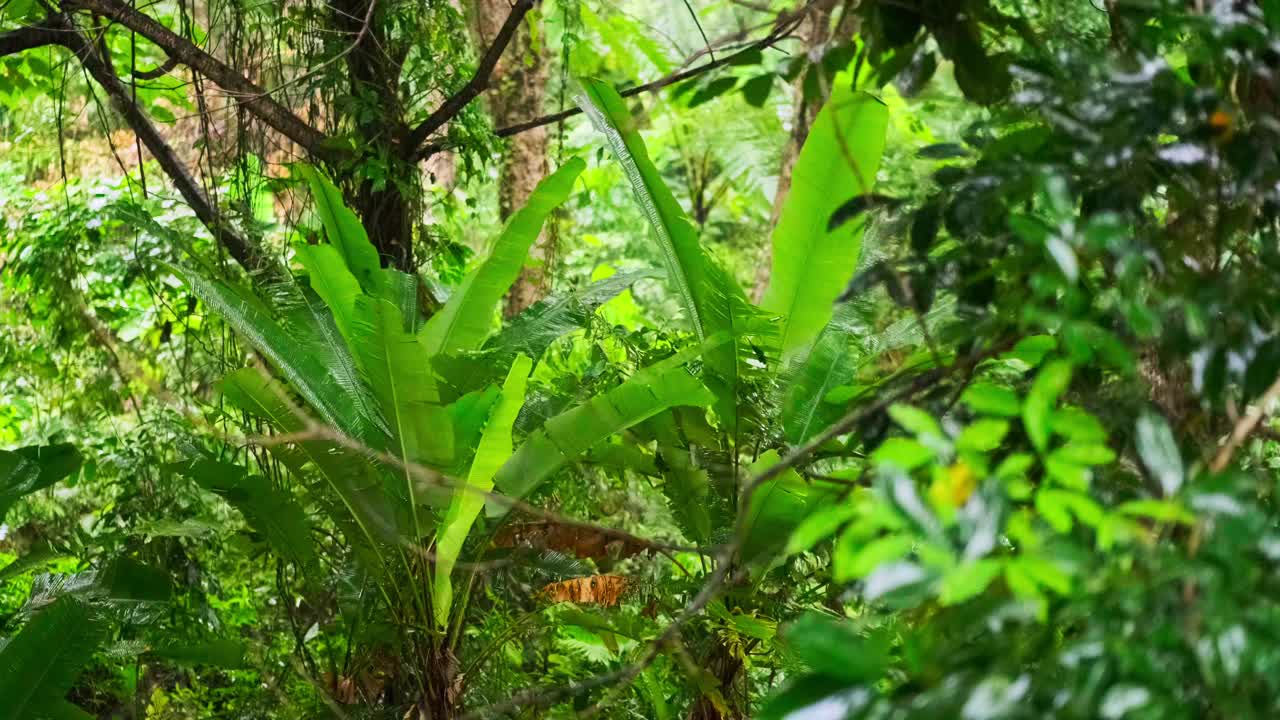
(714, 303)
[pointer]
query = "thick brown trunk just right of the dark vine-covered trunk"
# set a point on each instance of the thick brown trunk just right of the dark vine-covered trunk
(518, 92)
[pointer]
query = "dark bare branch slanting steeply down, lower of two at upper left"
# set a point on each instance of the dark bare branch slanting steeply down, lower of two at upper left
(244, 252)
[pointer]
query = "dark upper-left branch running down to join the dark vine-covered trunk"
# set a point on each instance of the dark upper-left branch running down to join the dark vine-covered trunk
(243, 90)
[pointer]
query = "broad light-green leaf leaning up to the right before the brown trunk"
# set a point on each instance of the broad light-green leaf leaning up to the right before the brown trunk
(467, 320)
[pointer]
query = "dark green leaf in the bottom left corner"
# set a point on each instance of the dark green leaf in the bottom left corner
(39, 667)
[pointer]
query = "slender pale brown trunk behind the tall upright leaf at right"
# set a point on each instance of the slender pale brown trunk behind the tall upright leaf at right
(815, 33)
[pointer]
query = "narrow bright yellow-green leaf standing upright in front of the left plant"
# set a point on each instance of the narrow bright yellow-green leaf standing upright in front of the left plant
(496, 448)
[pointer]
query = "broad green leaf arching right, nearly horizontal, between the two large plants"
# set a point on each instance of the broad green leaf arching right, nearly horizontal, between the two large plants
(572, 434)
